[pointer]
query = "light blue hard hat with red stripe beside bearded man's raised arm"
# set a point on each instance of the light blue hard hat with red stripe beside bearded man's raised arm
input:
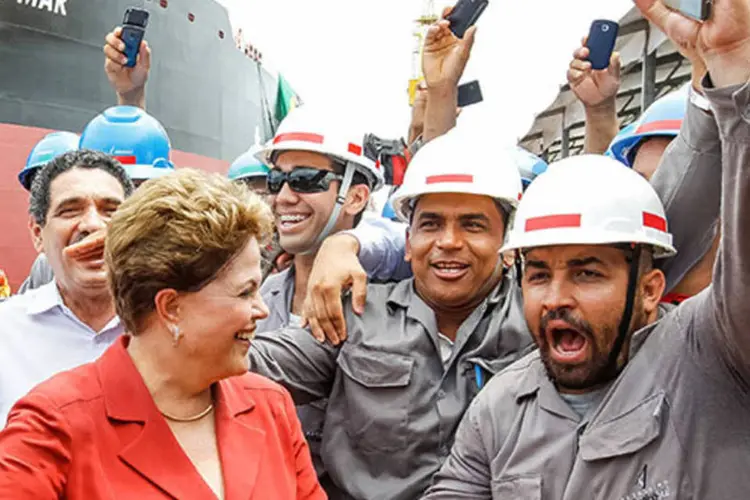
(662, 119)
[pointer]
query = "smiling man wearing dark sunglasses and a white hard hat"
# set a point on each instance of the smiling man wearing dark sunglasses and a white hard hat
(319, 184)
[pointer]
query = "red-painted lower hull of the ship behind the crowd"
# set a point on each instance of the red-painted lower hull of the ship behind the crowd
(16, 250)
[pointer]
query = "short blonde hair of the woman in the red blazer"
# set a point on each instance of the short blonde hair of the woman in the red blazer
(179, 232)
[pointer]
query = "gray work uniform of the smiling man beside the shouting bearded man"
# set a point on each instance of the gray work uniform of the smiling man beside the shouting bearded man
(393, 404)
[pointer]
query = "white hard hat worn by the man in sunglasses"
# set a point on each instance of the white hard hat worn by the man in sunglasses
(307, 129)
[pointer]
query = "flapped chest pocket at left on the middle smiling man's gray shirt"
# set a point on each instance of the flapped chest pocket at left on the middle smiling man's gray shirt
(376, 398)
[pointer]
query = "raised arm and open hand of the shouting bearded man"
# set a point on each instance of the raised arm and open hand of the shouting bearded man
(723, 42)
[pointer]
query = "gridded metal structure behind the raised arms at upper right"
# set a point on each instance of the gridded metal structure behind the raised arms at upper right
(651, 67)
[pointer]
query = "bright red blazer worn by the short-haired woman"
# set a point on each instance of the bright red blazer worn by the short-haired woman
(94, 433)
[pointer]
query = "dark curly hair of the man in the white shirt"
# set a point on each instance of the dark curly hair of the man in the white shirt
(39, 200)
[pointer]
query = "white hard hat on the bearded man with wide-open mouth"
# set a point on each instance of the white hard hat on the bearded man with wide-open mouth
(590, 200)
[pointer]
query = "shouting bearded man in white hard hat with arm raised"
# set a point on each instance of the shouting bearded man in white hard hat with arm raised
(624, 400)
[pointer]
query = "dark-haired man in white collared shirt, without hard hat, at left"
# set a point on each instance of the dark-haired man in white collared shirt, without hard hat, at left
(71, 320)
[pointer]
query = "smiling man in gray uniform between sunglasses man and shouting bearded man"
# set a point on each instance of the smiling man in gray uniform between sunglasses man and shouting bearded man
(424, 346)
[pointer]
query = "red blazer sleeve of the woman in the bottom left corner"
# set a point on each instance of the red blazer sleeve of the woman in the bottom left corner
(35, 451)
